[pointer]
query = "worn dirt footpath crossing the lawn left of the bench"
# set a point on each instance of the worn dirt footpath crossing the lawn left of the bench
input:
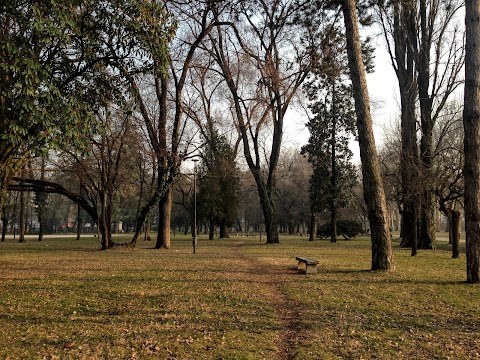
(271, 278)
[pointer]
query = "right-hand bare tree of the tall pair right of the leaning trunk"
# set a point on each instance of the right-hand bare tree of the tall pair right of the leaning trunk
(437, 34)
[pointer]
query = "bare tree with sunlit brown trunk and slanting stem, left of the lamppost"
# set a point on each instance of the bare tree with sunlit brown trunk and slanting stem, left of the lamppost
(152, 79)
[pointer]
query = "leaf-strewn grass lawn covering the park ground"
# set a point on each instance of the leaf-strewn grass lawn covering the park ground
(233, 299)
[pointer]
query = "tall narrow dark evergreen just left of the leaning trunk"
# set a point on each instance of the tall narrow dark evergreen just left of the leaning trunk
(331, 103)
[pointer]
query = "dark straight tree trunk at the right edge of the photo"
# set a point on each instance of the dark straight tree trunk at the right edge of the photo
(471, 123)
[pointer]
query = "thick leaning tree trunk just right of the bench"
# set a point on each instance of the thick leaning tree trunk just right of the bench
(374, 195)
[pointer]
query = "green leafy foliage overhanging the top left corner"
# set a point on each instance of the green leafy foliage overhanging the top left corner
(56, 69)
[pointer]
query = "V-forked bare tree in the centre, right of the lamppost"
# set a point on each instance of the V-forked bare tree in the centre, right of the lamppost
(264, 57)
